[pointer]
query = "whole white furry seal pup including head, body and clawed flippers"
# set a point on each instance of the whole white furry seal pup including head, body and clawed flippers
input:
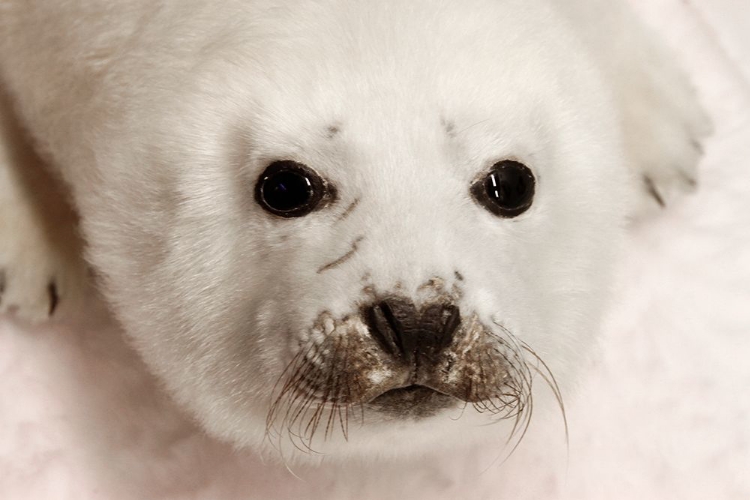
(338, 224)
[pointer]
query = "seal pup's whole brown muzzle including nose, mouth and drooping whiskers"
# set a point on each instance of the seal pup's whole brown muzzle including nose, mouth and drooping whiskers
(401, 361)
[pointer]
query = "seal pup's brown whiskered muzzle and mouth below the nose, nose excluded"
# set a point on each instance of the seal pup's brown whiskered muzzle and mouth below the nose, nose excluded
(344, 374)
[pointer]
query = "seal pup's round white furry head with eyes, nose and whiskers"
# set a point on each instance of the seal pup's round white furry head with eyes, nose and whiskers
(366, 222)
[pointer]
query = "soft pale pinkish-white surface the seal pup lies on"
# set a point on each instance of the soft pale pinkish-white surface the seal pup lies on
(664, 414)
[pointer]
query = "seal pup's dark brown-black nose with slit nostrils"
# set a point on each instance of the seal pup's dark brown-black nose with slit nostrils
(407, 332)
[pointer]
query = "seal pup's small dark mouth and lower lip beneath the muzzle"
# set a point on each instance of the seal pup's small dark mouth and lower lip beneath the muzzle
(414, 401)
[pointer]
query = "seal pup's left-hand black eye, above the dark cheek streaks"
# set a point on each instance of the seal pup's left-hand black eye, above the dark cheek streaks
(289, 189)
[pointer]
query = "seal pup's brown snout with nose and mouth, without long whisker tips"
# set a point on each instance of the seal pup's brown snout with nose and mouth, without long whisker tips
(405, 357)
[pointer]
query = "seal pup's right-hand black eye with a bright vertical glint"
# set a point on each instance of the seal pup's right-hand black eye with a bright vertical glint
(508, 189)
